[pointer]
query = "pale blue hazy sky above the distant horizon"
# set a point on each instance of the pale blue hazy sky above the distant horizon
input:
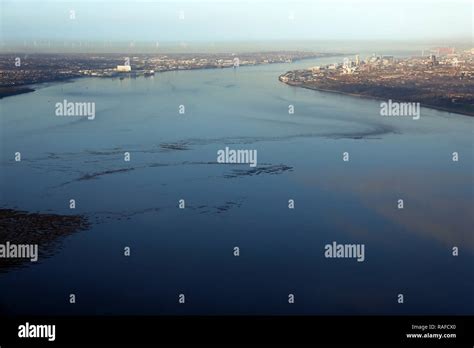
(226, 20)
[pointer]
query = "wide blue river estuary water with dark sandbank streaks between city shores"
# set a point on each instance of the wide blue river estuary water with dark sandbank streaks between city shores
(190, 251)
